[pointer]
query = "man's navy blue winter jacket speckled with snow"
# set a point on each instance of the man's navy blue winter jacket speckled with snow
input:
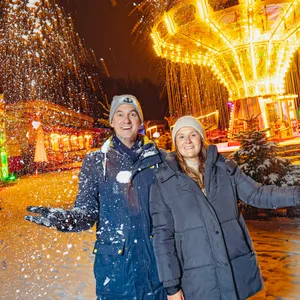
(114, 193)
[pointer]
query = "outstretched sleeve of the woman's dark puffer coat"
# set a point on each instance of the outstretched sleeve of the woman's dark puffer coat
(267, 196)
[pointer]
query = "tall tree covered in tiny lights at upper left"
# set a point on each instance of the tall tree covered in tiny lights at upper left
(43, 58)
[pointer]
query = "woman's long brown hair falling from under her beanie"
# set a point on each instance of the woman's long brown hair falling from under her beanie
(199, 179)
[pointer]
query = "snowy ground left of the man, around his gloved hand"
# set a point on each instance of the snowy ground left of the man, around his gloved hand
(37, 262)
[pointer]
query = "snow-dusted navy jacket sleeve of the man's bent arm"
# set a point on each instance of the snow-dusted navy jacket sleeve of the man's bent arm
(86, 208)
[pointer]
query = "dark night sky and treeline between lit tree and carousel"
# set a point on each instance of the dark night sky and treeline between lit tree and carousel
(130, 58)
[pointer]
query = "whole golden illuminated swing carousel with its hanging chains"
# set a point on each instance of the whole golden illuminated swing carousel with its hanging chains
(247, 44)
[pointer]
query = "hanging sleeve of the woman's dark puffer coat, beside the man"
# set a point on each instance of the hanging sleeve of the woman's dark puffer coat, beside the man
(168, 265)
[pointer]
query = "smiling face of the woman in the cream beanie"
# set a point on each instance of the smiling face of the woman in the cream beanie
(188, 143)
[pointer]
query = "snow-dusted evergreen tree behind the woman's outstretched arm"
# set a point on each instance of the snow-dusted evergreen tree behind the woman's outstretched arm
(257, 157)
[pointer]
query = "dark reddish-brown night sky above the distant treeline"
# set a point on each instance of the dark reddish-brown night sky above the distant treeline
(106, 30)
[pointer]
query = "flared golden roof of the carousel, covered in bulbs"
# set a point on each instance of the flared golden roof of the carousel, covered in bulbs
(248, 43)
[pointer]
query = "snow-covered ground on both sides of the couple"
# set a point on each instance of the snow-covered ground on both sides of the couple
(41, 263)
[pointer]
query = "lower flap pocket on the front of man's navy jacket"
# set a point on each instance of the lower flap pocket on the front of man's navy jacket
(109, 267)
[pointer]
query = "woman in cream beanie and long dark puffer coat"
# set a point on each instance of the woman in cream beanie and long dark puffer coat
(202, 245)
